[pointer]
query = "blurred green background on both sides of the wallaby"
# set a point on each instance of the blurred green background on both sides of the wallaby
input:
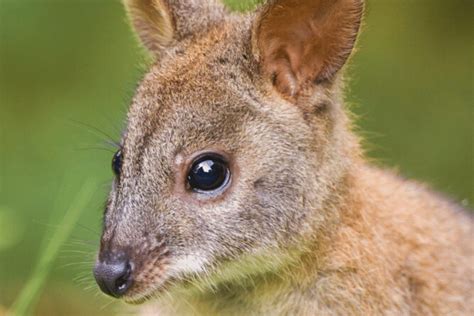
(68, 70)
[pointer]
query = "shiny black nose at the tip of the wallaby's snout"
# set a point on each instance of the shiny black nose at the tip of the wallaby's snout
(114, 278)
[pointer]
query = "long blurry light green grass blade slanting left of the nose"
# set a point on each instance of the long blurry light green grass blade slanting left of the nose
(28, 297)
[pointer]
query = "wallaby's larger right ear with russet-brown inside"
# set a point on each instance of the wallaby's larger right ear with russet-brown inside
(305, 42)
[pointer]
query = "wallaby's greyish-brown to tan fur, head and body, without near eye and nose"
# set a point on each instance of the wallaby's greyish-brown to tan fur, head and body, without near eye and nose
(306, 226)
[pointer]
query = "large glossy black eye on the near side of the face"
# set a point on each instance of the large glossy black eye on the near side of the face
(208, 173)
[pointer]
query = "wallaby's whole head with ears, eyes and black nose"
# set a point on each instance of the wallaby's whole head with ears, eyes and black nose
(235, 140)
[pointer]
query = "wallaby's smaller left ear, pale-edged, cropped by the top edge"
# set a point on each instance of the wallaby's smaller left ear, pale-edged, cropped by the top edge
(159, 23)
